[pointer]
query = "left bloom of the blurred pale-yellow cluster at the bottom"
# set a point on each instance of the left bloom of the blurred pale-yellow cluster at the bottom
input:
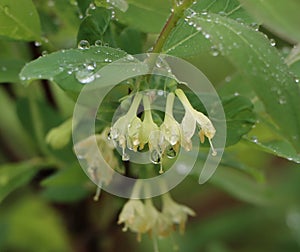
(138, 217)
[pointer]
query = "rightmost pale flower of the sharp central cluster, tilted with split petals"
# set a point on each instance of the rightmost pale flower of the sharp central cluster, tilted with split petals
(193, 117)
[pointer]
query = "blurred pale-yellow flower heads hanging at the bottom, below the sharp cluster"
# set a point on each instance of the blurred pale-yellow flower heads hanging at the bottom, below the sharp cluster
(142, 217)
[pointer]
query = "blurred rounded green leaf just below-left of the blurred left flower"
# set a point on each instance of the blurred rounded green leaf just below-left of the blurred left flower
(67, 185)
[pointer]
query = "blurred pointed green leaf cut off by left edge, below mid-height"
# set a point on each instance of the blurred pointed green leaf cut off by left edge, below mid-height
(13, 176)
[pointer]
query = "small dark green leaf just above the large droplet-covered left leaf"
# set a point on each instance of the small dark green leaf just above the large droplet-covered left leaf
(94, 25)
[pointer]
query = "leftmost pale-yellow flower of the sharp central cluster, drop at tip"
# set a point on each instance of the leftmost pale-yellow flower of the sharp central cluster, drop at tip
(126, 130)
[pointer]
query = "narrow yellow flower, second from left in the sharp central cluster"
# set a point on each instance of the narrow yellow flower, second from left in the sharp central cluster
(148, 126)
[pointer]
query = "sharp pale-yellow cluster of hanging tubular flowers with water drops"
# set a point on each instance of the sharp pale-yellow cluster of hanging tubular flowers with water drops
(129, 131)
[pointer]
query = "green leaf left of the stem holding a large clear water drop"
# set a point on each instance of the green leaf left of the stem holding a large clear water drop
(70, 68)
